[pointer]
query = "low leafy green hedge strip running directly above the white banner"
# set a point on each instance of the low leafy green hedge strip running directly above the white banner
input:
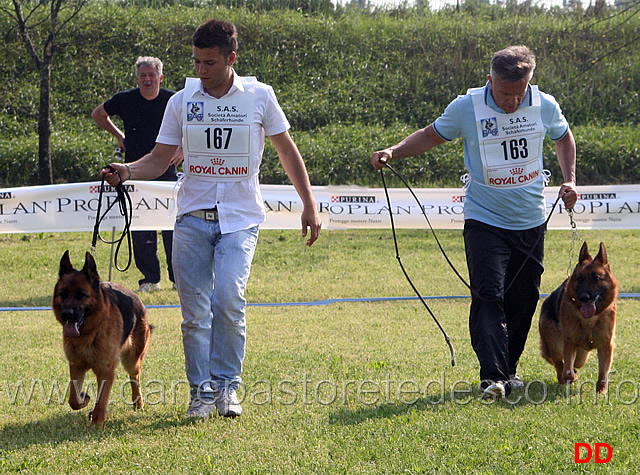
(339, 155)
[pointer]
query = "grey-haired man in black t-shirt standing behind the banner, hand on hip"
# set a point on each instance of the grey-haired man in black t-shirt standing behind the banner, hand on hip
(141, 110)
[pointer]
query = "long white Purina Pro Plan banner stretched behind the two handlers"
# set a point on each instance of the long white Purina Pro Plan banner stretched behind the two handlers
(73, 207)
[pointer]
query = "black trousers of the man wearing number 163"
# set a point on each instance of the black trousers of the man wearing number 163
(502, 308)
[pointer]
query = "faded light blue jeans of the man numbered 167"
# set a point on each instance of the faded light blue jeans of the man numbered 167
(211, 271)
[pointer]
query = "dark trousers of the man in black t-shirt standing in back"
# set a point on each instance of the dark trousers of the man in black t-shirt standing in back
(145, 251)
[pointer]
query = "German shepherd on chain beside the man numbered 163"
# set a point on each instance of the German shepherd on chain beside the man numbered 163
(580, 316)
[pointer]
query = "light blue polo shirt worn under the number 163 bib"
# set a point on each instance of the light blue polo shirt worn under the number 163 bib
(514, 208)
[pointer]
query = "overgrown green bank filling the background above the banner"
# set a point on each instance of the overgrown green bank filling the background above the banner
(350, 79)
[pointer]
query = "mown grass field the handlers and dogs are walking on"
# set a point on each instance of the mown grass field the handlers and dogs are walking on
(348, 387)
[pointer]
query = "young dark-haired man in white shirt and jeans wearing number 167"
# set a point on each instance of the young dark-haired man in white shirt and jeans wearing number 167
(221, 120)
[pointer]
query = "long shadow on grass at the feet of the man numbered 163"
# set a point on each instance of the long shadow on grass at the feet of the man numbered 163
(530, 396)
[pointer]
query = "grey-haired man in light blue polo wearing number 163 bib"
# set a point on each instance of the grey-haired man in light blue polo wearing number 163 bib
(503, 125)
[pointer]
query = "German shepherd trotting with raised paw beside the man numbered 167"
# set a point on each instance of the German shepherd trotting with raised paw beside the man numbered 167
(102, 322)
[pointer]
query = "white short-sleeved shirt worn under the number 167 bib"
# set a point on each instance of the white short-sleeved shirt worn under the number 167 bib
(240, 204)
